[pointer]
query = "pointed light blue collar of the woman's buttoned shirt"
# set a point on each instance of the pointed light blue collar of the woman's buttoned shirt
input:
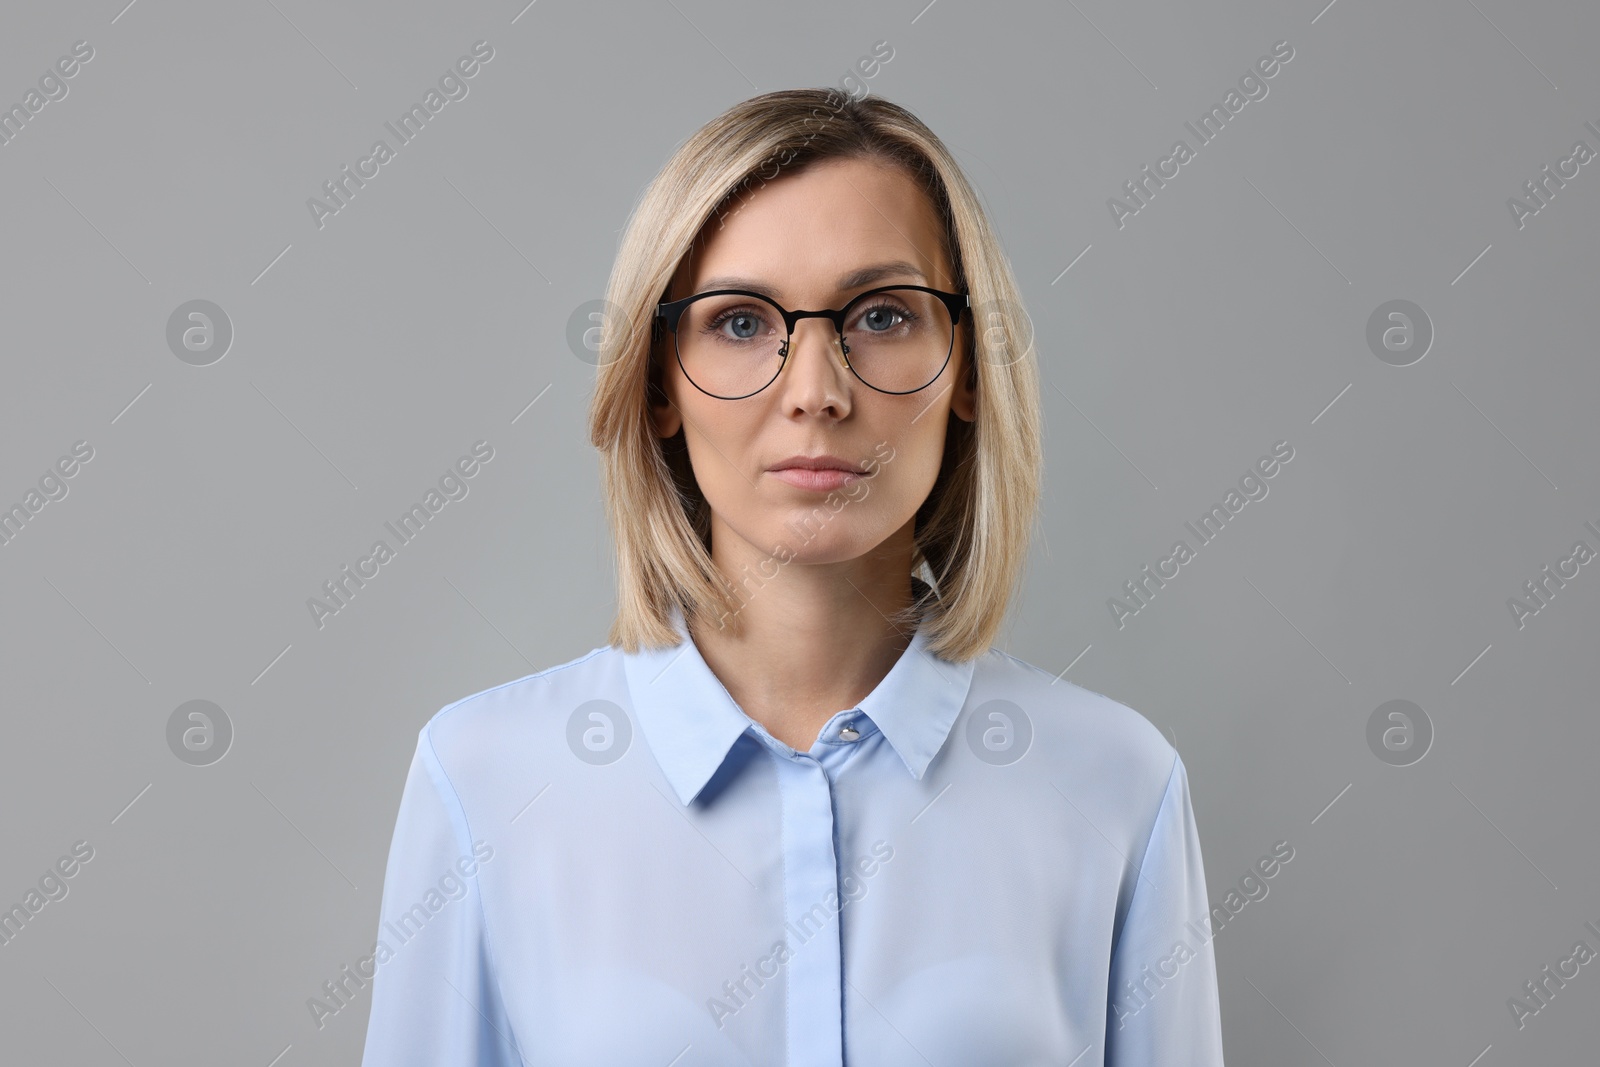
(692, 722)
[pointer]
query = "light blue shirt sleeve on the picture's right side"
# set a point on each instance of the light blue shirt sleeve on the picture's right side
(1164, 1007)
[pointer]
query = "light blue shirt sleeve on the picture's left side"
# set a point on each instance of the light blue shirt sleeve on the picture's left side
(436, 994)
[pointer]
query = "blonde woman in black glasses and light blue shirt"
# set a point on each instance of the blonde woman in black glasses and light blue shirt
(799, 812)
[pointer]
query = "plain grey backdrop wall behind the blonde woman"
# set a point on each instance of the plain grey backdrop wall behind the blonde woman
(1226, 316)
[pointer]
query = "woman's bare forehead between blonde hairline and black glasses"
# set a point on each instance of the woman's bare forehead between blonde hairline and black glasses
(806, 231)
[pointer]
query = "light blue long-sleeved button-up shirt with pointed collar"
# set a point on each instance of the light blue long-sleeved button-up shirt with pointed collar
(610, 863)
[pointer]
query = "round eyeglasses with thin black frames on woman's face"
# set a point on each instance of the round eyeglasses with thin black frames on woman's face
(895, 338)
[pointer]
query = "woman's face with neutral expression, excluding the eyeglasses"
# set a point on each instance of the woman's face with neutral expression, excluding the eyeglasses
(802, 234)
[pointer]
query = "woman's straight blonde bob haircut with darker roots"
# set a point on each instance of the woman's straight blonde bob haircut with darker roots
(972, 533)
